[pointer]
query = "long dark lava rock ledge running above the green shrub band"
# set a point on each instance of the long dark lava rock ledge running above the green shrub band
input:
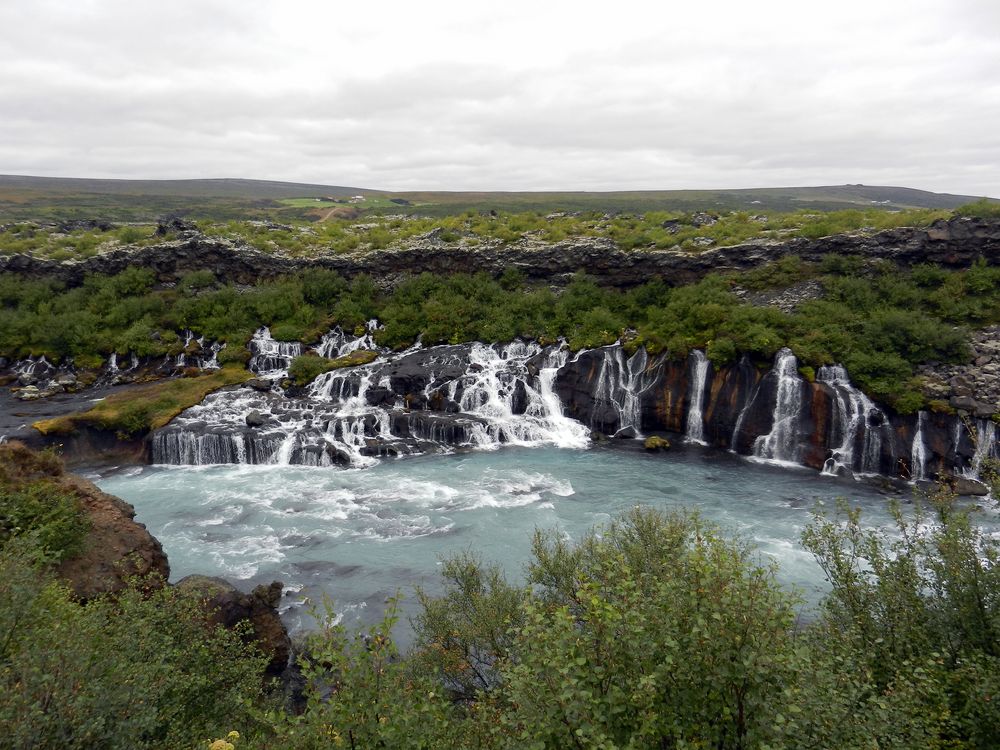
(952, 243)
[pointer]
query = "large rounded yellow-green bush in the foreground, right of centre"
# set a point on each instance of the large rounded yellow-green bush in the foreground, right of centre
(656, 633)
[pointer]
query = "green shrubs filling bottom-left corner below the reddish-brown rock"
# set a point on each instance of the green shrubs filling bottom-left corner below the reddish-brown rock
(139, 671)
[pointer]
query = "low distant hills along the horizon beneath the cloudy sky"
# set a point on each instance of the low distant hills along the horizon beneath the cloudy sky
(40, 198)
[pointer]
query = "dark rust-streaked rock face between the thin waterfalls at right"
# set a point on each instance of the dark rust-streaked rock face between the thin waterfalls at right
(738, 408)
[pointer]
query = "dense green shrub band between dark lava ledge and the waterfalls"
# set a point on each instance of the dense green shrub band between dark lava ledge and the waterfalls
(876, 319)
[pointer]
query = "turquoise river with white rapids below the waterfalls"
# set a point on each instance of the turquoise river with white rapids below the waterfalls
(362, 535)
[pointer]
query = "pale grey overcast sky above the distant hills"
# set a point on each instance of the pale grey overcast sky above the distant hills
(506, 96)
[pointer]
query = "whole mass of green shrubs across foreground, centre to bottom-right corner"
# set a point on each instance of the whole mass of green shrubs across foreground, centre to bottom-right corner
(657, 631)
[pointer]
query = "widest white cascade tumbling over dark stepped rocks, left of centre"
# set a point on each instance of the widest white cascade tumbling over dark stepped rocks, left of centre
(483, 396)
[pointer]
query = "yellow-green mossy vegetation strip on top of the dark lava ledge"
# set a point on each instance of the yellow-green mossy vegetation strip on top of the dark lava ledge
(687, 231)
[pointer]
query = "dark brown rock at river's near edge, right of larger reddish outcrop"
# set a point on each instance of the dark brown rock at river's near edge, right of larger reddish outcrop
(227, 606)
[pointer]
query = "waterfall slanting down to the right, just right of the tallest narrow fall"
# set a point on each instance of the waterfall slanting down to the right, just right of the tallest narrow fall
(852, 412)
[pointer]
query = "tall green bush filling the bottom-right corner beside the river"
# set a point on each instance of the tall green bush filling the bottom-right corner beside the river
(918, 607)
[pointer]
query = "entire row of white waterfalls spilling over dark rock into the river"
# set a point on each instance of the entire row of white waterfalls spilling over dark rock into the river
(484, 396)
